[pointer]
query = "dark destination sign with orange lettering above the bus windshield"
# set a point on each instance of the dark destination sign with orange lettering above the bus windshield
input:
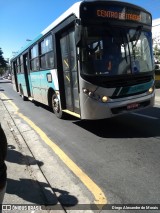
(98, 12)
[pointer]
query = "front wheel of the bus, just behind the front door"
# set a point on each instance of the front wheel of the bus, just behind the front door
(56, 106)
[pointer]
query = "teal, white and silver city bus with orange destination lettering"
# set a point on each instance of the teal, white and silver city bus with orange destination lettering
(94, 62)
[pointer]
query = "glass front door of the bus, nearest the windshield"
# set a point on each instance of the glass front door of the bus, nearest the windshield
(69, 63)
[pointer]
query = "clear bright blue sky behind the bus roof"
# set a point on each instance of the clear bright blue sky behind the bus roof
(26, 19)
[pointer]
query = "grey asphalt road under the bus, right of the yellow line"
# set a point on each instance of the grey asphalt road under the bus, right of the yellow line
(121, 154)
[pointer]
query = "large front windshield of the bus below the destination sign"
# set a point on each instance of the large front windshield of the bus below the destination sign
(115, 51)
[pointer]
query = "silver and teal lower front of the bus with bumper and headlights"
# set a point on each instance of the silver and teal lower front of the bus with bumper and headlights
(92, 106)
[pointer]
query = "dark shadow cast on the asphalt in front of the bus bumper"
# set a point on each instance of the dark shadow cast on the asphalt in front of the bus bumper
(138, 125)
